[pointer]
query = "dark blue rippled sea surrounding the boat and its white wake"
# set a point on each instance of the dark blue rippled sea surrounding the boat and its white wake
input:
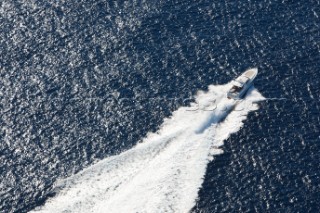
(64, 66)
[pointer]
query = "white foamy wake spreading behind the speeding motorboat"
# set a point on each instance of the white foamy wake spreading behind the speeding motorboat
(164, 172)
